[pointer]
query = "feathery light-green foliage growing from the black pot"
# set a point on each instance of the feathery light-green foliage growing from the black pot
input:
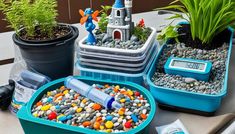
(29, 15)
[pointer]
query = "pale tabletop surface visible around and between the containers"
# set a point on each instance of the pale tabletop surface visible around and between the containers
(195, 124)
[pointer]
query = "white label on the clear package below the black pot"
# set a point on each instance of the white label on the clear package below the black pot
(22, 93)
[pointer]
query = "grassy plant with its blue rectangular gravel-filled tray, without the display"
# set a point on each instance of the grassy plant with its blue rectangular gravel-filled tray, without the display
(205, 36)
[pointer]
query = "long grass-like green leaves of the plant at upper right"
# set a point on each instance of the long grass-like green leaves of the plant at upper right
(207, 18)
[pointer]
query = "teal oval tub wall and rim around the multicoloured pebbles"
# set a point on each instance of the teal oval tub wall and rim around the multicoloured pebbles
(33, 125)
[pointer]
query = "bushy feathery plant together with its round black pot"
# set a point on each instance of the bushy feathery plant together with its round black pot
(45, 45)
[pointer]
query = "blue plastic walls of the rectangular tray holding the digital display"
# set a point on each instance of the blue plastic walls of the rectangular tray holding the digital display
(188, 100)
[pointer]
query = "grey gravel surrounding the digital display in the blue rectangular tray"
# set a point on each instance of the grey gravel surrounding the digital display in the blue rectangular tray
(217, 56)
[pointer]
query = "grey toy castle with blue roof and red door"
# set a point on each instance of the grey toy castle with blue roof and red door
(120, 24)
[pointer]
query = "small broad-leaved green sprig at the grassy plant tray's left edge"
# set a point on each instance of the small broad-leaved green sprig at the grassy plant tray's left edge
(168, 32)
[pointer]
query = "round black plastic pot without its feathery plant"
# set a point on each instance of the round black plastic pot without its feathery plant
(54, 58)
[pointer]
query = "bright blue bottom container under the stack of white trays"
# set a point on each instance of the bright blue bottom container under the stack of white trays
(139, 78)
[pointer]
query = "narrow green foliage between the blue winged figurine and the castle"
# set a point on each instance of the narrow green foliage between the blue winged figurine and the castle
(103, 22)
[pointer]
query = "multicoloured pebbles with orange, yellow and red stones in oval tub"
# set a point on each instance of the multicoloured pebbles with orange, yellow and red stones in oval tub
(66, 106)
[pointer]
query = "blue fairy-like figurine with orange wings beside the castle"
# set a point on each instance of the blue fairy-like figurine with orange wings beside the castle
(87, 17)
